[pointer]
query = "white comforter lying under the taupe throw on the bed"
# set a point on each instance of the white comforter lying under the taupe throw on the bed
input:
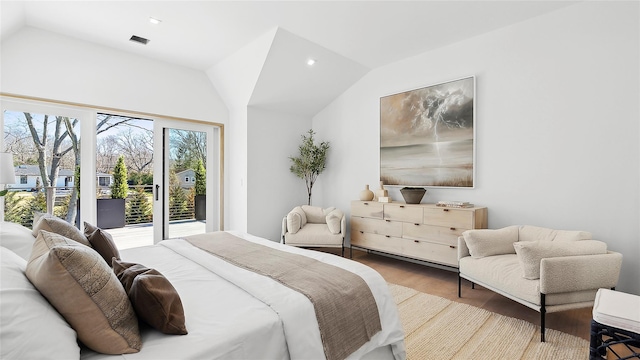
(232, 313)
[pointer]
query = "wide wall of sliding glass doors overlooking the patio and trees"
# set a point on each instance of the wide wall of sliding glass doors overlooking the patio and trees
(173, 181)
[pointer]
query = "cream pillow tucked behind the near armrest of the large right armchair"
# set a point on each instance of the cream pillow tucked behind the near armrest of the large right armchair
(531, 252)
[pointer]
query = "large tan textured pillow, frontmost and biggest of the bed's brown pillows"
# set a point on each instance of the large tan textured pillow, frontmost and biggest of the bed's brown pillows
(78, 283)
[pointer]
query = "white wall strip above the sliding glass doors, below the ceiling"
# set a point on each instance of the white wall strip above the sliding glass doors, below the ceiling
(42, 64)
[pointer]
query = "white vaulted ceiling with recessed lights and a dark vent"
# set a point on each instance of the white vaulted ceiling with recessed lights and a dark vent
(353, 36)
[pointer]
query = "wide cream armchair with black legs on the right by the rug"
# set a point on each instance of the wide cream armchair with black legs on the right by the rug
(544, 269)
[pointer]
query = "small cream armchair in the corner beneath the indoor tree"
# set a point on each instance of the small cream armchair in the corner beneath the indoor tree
(313, 226)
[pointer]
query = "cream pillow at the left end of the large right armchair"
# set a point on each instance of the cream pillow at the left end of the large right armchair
(488, 242)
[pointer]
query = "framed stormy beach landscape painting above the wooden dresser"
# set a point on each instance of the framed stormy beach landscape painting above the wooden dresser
(427, 136)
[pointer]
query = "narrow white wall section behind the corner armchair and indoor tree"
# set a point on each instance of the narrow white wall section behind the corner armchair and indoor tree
(272, 190)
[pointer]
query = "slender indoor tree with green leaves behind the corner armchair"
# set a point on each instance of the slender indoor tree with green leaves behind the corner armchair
(310, 162)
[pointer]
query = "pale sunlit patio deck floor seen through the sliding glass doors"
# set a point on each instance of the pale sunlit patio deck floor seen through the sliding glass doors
(142, 234)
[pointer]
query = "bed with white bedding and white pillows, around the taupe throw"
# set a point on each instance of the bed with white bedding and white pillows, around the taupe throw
(230, 312)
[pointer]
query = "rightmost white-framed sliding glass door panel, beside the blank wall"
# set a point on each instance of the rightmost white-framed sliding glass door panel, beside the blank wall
(186, 179)
